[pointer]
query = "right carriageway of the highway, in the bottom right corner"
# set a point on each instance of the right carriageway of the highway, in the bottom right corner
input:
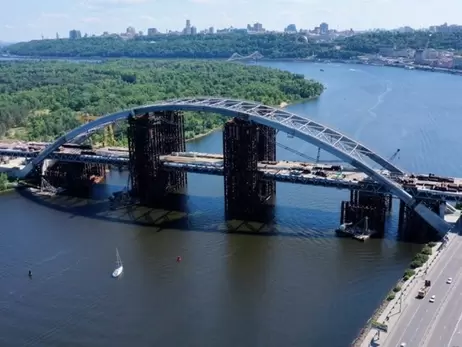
(447, 328)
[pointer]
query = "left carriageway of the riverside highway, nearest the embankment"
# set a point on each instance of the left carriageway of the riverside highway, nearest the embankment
(418, 314)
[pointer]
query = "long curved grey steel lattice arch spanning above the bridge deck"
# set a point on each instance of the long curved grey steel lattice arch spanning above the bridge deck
(326, 138)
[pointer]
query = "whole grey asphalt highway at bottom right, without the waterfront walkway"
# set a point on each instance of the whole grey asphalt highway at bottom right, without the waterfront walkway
(438, 324)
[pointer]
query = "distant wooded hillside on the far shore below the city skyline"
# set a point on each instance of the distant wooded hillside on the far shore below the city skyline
(272, 46)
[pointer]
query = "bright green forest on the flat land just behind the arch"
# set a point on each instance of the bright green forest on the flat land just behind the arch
(42, 100)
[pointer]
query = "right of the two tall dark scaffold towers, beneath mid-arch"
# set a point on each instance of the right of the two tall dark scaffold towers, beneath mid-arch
(244, 143)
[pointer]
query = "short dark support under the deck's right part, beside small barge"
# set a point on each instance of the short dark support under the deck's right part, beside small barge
(364, 204)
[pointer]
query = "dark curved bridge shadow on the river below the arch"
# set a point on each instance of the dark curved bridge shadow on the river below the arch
(196, 214)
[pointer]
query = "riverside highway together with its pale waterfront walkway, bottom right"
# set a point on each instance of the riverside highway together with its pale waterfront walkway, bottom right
(418, 322)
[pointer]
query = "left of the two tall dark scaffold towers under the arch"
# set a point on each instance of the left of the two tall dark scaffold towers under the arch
(150, 136)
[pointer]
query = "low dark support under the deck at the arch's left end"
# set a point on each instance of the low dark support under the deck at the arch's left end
(76, 178)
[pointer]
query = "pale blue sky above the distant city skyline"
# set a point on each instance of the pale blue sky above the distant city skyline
(23, 20)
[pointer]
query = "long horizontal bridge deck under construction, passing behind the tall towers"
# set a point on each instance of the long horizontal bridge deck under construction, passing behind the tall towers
(420, 186)
